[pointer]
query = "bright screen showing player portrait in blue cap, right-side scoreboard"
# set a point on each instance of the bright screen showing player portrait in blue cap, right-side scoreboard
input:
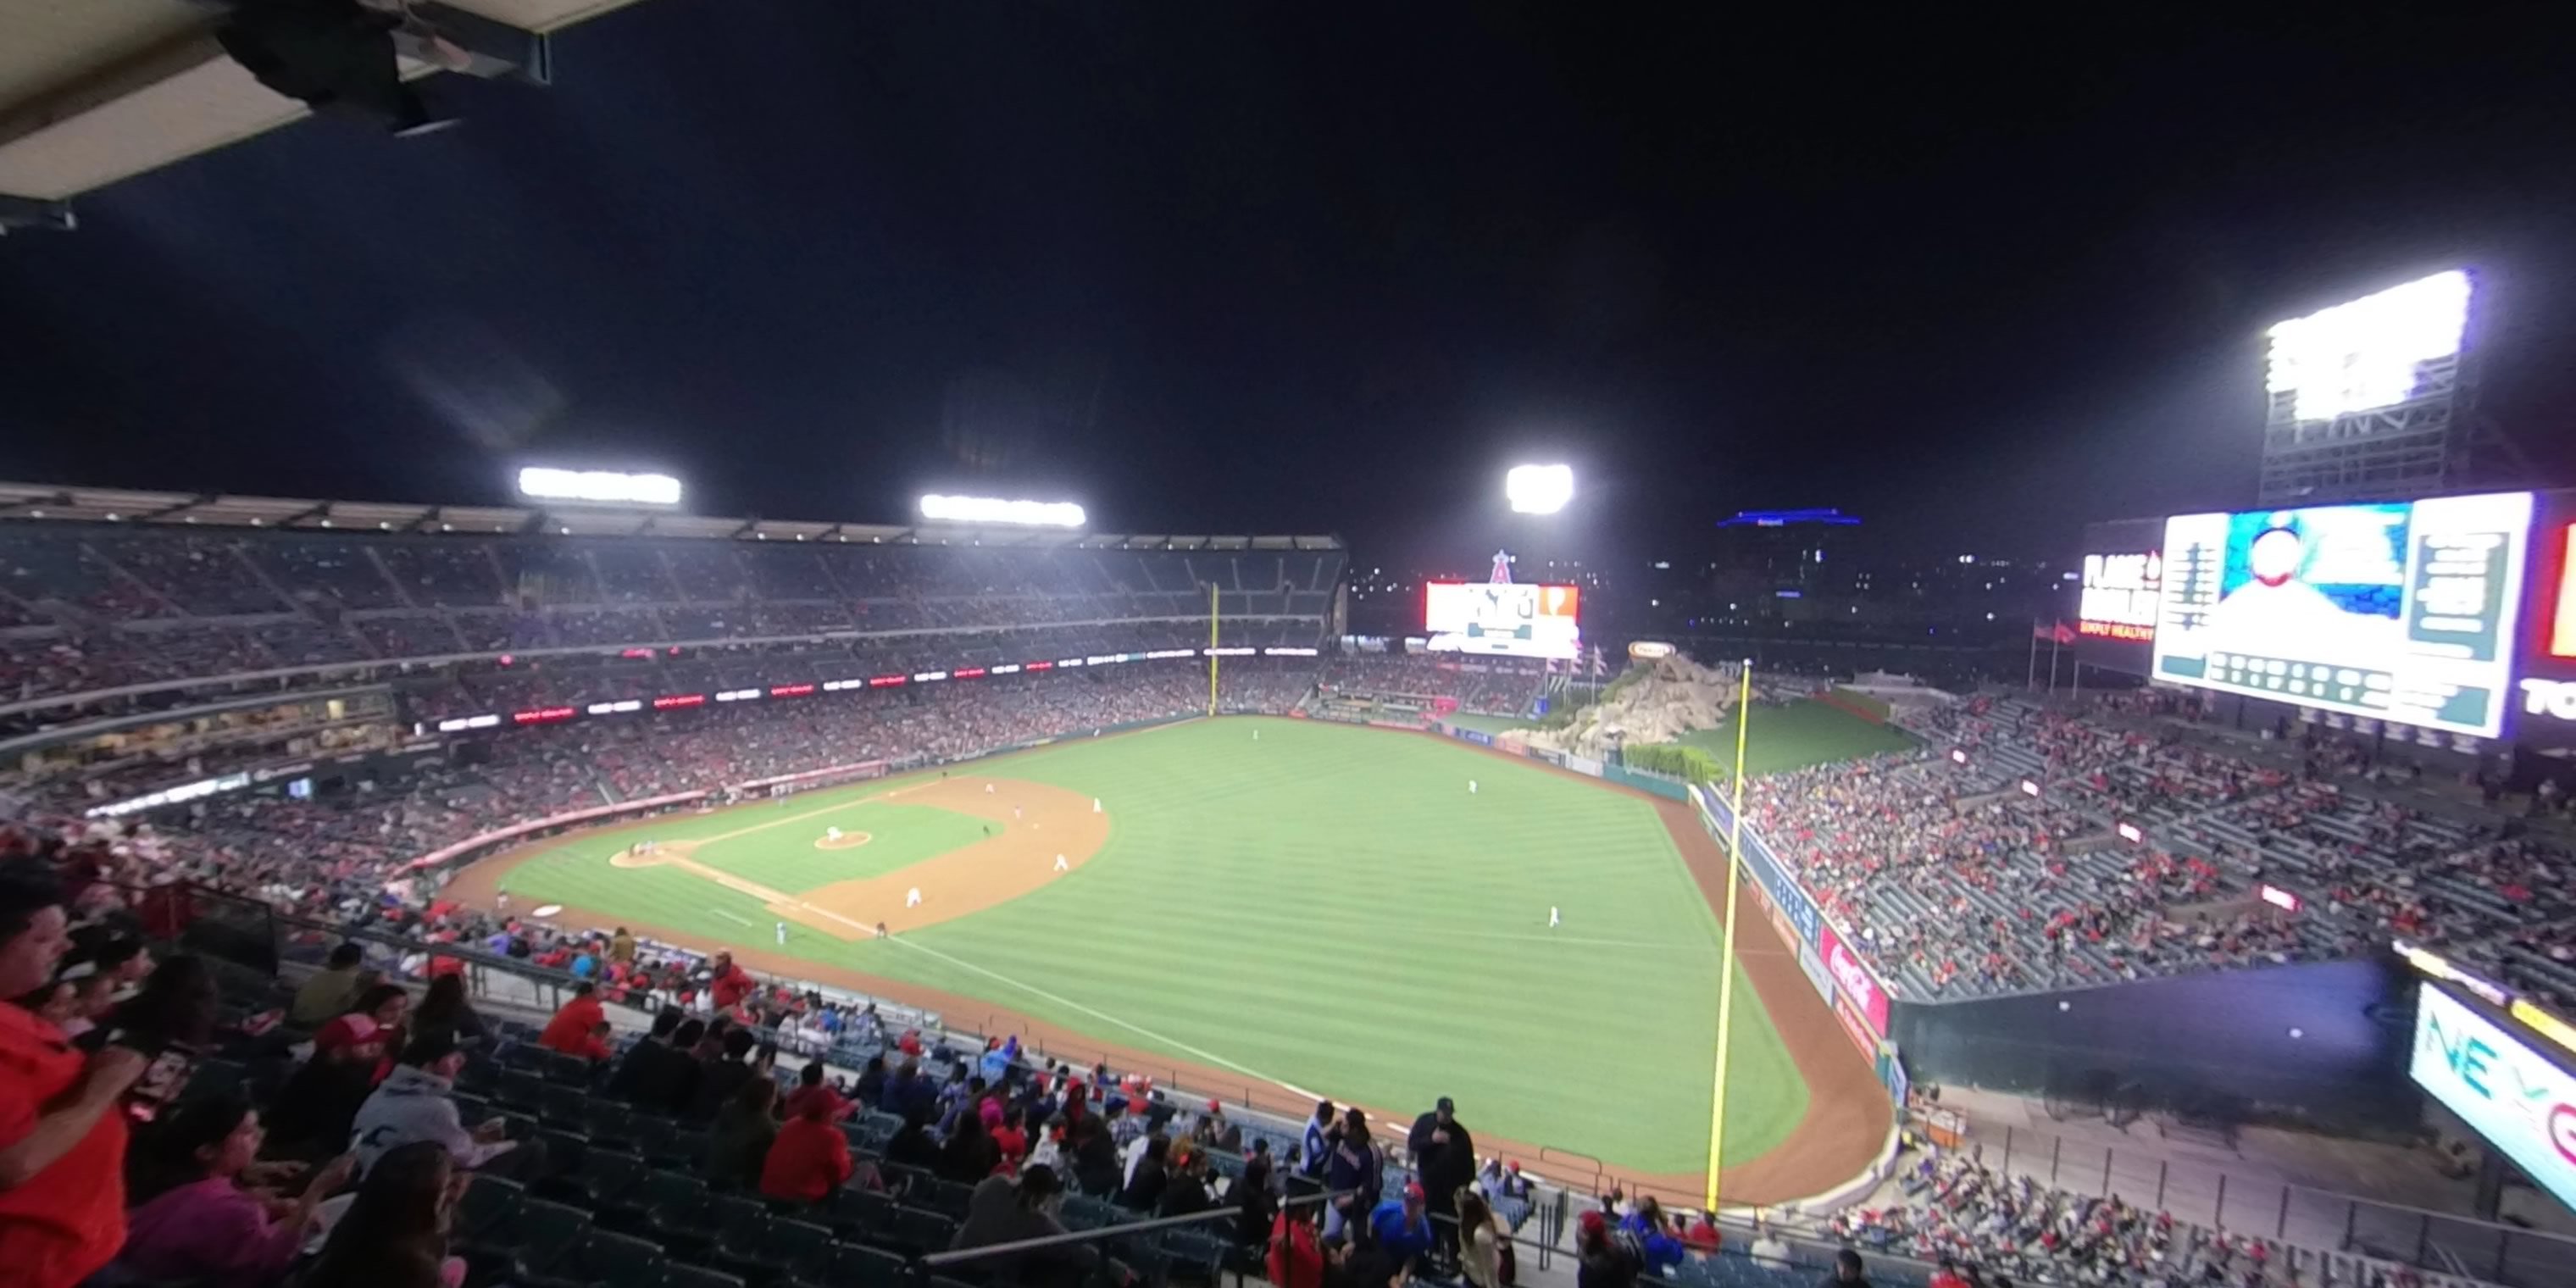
(2389, 609)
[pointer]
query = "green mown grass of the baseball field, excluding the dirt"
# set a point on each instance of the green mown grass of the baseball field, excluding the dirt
(1325, 908)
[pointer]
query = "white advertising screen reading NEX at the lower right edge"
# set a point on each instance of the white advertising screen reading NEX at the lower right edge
(2518, 1099)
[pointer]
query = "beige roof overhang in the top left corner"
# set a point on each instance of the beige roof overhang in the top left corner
(97, 91)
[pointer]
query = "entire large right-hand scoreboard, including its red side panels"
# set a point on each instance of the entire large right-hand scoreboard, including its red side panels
(2451, 614)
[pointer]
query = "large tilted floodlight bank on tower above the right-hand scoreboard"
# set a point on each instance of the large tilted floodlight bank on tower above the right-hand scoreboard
(2366, 354)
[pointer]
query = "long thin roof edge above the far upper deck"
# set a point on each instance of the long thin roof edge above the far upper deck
(228, 511)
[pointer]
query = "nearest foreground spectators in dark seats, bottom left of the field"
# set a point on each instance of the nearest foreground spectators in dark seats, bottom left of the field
(362, 1132)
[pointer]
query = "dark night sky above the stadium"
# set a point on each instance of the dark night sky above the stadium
(1323, 267)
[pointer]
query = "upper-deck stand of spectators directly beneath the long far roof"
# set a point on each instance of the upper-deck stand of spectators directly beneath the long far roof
(104, 607)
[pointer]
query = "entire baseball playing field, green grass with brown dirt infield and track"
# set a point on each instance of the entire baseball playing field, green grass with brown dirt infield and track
(1282, 911)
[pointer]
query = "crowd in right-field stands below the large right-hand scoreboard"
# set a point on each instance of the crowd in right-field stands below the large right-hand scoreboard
(1995, 862)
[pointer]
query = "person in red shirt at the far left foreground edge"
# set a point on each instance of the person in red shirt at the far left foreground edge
(63, 1140)
